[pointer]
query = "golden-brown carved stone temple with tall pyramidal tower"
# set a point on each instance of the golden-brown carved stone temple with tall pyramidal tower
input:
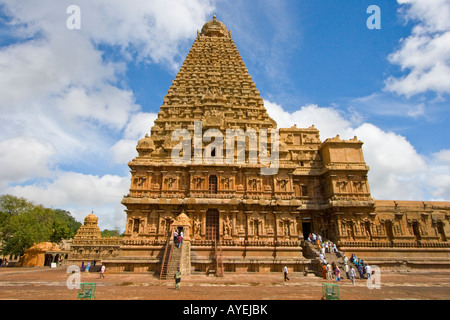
(235, 216)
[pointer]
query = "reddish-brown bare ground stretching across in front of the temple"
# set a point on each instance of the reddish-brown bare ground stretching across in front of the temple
(43, 283)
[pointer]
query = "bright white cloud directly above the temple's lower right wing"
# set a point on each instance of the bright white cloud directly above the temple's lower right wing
(397, 170)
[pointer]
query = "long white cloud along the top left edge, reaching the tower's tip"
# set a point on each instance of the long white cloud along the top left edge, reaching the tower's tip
(154, 30)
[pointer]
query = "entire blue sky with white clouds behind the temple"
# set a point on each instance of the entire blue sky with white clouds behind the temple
(75, 102)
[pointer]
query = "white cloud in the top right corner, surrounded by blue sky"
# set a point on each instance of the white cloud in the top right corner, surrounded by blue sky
(424, 54)
